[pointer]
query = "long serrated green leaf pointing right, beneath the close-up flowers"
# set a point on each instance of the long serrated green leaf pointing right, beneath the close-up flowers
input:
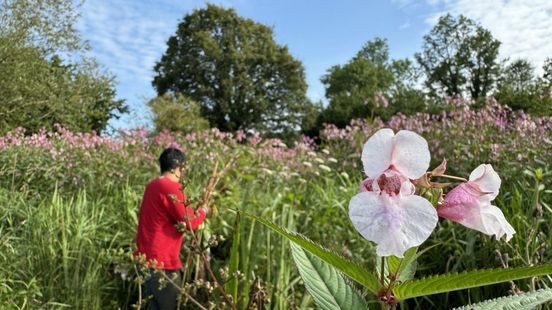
(454, 281)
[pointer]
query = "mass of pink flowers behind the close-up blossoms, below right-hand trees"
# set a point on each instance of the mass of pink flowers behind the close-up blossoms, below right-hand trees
(466, 135)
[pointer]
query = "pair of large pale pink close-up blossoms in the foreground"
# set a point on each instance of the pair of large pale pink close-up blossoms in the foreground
(387, 210)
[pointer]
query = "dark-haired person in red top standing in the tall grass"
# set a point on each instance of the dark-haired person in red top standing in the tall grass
(163, 206)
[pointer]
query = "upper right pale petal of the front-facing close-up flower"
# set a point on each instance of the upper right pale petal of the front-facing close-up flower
(410, 154)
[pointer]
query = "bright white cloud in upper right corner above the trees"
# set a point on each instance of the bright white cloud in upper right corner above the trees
(524, 27)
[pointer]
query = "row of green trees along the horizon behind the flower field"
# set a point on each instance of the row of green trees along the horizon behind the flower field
(226, 71)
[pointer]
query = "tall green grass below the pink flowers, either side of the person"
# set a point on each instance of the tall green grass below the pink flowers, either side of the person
(65, 251)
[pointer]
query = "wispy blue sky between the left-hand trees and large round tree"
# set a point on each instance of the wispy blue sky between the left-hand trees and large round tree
(128, 37)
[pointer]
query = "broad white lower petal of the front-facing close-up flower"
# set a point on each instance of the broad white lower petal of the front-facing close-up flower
(395, 224)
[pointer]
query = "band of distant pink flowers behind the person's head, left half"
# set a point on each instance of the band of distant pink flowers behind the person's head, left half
(70, 161)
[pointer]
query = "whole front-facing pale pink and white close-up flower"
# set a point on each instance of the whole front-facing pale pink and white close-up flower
(386, 211)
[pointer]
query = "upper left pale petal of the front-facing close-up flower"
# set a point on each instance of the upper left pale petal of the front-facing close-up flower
(376, 153)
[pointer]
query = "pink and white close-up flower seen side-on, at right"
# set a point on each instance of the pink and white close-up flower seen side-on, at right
(470, 204)
